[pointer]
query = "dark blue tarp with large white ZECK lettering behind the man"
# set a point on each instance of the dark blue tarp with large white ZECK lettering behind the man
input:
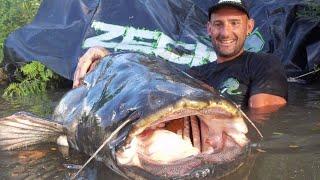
(172, 29)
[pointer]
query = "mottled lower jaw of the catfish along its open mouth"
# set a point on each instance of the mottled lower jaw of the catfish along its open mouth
(190, 166)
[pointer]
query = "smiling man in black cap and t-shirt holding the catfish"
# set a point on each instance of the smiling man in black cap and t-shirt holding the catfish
(252, 79)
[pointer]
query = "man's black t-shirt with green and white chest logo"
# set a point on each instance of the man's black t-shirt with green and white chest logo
(247, 75)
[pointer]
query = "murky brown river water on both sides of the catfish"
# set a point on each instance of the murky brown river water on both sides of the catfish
(290, 148)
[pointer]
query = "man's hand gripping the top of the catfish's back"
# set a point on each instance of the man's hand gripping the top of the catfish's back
(87, 62)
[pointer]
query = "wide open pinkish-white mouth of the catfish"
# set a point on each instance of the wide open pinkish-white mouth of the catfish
(179, 142)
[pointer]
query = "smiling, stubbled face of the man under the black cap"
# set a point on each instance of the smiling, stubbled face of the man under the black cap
(228, 29)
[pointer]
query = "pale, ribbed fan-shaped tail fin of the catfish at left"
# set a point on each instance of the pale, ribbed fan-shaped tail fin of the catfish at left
(23, 129)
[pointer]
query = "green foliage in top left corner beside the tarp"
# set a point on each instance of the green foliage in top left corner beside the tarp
(14, 14)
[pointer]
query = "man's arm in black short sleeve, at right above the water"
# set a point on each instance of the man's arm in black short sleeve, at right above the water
(269, 85)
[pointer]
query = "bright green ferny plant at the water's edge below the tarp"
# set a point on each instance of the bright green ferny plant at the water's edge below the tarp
(35, 79)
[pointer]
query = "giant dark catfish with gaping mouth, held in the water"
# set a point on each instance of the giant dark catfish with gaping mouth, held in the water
(177, 127)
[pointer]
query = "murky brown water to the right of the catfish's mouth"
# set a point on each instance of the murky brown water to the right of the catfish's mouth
(292, 134)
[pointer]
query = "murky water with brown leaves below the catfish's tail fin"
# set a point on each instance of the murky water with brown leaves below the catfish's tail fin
(49, 162)
